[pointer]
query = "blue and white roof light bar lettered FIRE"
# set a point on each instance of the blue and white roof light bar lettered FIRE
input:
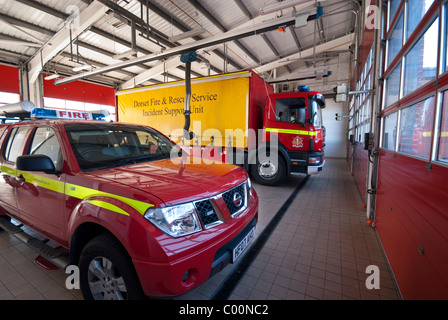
(41, 113)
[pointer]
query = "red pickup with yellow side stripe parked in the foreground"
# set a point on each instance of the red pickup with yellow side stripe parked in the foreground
(124, 204)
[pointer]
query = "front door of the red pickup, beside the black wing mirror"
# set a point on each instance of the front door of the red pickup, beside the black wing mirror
(40, 196)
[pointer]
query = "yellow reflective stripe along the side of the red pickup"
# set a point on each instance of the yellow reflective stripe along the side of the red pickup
(78, 192)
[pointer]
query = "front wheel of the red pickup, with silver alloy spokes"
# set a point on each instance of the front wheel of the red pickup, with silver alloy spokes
(107, 272)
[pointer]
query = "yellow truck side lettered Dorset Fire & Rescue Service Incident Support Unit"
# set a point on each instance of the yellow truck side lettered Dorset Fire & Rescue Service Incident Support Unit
(219, 109)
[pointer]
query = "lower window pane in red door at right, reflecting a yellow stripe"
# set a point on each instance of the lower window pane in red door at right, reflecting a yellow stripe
(416, 124)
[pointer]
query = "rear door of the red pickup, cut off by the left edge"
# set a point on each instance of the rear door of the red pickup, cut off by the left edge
(13, 147)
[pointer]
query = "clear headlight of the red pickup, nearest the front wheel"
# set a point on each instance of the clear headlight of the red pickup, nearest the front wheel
(175, 221)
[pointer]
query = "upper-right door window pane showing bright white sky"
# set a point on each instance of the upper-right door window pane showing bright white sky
(421, 62)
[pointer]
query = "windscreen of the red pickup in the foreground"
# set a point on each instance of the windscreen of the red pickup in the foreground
(100, 146)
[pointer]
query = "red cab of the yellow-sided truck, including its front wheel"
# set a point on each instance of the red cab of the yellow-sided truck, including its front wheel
(295, 119)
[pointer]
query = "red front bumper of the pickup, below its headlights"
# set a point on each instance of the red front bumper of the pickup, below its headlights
(177, 277)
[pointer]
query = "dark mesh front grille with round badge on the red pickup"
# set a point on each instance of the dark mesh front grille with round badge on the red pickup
(235, 200)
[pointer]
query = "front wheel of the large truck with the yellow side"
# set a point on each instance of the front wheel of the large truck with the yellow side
(269, 172)
